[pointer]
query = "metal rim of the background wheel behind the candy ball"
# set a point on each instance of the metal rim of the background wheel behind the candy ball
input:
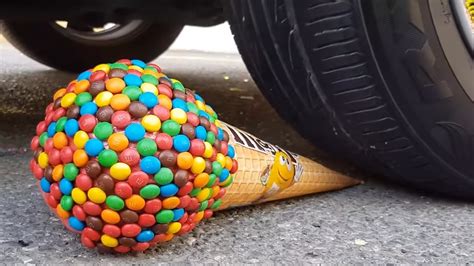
(102, 35)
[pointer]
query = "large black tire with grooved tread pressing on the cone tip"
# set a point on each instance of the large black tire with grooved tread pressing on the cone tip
(372, 81)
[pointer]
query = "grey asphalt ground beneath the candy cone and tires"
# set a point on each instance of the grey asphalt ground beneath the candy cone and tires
(375, 222)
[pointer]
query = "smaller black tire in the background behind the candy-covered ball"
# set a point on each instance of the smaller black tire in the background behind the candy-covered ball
(47, 43)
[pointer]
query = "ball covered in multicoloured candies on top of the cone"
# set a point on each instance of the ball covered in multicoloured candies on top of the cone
(128, 157)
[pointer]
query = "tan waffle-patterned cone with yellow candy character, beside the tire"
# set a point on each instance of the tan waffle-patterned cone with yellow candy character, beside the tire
(268, 172)
